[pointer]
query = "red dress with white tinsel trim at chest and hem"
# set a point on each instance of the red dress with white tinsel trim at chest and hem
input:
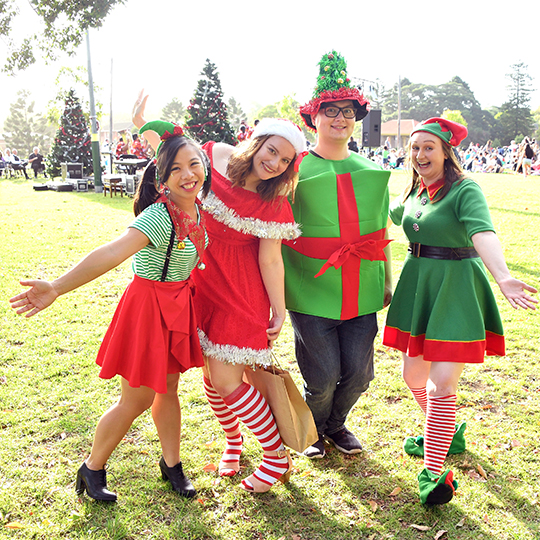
(232, 306)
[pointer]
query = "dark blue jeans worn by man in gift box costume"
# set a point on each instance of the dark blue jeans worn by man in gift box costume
(336, 361)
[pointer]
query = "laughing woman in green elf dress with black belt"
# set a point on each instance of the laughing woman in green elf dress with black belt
(444, 314)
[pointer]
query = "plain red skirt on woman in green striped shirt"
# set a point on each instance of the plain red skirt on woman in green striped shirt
(153, 333)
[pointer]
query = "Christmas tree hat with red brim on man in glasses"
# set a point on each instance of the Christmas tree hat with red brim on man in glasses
(333, 84)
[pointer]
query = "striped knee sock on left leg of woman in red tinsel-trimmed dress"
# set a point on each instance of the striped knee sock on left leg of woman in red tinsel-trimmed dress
(229, 422)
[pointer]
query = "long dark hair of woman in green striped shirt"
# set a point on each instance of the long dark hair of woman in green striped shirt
(159, 172)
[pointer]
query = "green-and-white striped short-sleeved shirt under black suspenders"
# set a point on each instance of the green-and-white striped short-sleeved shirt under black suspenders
(148, 263)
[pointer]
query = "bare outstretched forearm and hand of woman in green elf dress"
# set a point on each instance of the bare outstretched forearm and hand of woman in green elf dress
(489, 248)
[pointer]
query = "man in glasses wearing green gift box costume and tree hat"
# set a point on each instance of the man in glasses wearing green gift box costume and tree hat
(335, 276)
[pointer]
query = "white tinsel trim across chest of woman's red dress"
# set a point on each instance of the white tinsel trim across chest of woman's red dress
(256, 227)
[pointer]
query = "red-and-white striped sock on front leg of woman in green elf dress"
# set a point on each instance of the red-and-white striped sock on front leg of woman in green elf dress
(440, 428)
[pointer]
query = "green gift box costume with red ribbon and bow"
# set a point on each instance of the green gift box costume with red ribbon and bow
(335, 269)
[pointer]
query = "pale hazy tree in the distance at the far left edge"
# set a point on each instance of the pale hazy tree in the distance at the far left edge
(24, 129)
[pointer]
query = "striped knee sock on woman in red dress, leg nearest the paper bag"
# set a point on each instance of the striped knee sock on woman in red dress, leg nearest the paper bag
(251, 407)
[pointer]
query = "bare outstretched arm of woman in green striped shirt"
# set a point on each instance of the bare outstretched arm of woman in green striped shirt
(42, 294)
